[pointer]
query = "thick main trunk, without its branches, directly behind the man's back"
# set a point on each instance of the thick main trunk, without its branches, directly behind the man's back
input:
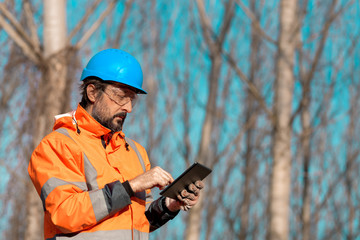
(50, 98)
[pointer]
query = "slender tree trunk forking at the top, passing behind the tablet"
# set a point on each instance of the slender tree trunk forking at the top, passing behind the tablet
(215, 47)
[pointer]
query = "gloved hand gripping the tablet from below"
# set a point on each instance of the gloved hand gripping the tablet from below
(187, 198)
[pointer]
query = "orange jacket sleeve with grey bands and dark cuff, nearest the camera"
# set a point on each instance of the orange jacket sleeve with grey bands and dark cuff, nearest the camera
(55, 169)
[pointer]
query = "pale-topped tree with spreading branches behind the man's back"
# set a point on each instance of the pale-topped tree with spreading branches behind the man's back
(49, 94)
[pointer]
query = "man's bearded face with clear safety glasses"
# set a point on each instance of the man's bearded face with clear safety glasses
(112, 105)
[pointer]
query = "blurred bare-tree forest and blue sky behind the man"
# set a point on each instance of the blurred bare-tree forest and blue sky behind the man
(266, 93)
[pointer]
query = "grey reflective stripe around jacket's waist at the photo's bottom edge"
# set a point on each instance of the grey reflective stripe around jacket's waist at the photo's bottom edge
(101, 235)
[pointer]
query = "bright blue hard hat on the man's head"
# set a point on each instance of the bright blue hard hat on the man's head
(117, 66)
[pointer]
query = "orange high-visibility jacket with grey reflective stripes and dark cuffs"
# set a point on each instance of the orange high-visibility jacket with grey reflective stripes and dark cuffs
(80, 172)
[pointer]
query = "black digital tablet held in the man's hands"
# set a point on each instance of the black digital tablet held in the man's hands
(195, 172)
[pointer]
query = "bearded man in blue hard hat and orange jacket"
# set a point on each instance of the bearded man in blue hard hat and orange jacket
(94, 182)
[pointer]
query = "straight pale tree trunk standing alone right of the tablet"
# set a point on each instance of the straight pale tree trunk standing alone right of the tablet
(279, 203)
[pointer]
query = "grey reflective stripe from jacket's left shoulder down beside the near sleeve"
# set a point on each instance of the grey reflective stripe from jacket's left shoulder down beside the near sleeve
(90, 171)
